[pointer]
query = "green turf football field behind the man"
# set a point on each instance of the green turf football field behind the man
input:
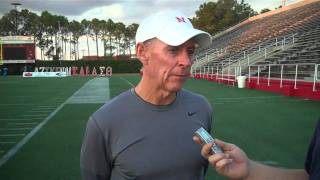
(271, 128)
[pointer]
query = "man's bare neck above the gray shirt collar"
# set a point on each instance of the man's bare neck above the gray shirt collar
(154, 95)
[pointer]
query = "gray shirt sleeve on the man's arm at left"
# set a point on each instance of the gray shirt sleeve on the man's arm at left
(94, 161)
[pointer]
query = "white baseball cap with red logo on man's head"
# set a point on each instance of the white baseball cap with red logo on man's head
(171, 27)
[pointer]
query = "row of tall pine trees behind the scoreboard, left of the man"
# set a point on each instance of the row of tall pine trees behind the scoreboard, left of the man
(52, 33)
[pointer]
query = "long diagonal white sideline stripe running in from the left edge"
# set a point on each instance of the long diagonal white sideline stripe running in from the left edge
(18, 146)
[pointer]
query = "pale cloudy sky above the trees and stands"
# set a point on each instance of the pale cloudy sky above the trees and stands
(127, 11)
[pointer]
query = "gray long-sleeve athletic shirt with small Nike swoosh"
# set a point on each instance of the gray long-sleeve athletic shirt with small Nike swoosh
(128, 138)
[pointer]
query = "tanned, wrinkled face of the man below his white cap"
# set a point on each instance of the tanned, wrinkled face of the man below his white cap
(168, 66)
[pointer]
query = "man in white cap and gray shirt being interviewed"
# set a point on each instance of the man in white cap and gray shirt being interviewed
(146, 132)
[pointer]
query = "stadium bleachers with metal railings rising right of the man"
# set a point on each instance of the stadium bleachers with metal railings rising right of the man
(284, 43)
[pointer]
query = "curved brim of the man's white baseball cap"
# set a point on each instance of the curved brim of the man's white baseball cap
(203, 39)
